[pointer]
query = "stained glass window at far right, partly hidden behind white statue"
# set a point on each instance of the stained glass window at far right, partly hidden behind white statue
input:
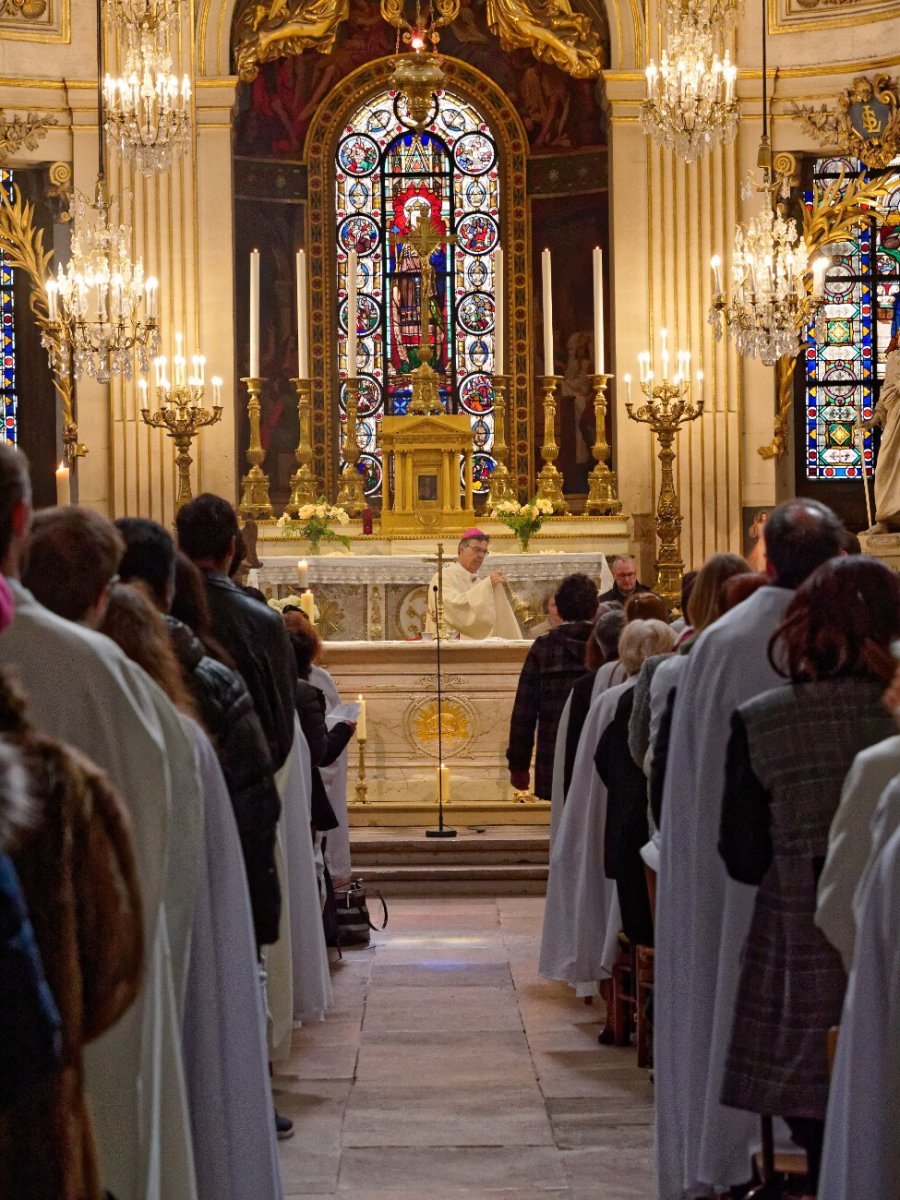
(862, 317)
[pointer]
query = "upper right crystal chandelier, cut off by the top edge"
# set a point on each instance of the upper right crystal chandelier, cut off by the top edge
(691, 101)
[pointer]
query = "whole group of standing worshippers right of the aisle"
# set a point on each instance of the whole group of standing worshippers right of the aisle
(725, 807)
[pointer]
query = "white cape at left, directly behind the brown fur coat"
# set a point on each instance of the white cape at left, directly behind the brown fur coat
(83, 691)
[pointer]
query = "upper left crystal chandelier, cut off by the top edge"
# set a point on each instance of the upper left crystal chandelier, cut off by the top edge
(148, 110)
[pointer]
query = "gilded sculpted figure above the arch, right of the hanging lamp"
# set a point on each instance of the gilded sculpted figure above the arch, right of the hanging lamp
(551, 32)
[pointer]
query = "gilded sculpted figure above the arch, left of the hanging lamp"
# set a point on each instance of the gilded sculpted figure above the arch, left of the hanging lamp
(272, 31)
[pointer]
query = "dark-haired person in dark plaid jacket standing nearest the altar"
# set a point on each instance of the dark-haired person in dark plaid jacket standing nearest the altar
(554, 664)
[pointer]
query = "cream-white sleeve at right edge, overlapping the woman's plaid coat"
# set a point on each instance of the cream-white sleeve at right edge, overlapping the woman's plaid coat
(850, 843)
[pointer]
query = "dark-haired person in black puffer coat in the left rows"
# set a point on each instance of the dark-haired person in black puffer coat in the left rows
(224, 704)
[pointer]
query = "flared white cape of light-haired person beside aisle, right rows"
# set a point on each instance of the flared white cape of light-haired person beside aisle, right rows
(581, 916)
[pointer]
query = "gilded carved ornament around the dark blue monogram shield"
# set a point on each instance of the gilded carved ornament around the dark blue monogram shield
(866, 124)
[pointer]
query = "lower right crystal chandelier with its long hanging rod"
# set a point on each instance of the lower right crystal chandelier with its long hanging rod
(773, 298)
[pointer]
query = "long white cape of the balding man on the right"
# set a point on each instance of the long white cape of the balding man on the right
(703, 916)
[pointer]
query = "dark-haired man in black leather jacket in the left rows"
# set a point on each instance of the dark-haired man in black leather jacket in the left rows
(253, 633)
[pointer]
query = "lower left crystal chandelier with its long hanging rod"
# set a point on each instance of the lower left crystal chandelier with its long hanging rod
(103, 313)
